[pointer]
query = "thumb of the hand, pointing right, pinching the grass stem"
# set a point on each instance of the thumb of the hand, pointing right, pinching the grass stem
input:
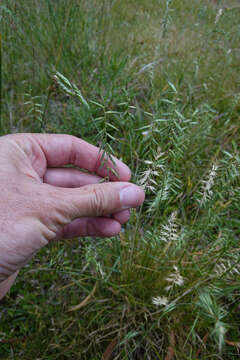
(100, 199)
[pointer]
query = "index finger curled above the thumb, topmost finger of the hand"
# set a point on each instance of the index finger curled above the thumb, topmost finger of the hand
(61, 149)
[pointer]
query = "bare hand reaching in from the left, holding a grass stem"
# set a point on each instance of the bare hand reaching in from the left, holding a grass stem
(42, 202)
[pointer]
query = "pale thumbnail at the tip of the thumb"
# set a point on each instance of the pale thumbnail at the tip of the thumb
(131, 196)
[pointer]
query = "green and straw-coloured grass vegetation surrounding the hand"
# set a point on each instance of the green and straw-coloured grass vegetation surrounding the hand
(157, 83)
